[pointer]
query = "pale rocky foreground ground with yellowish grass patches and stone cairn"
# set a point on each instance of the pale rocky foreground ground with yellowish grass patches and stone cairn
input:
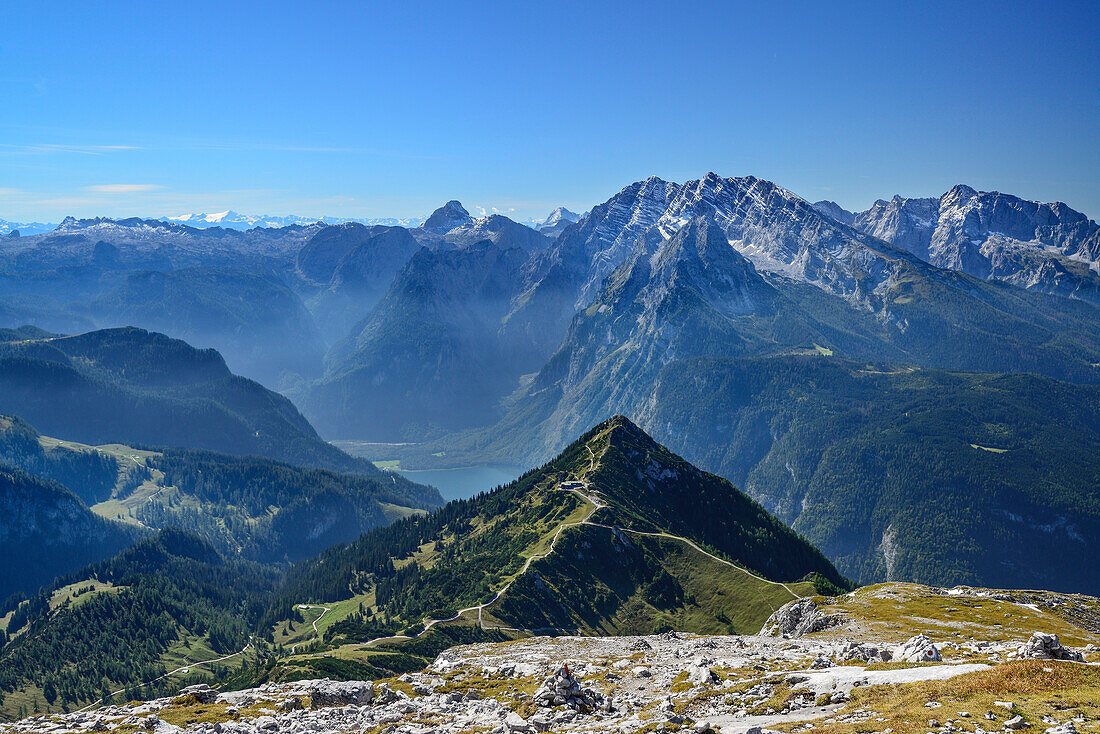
(895, 659)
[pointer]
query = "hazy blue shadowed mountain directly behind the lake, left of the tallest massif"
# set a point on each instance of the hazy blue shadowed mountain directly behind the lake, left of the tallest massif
(436, 352)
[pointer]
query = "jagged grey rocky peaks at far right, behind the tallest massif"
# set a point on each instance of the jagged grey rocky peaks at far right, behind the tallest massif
(1043, 247)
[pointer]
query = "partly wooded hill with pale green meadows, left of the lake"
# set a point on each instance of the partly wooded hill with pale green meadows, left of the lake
(245, 507)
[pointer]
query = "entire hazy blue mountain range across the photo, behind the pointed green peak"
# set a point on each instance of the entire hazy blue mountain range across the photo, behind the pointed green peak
(489, 341)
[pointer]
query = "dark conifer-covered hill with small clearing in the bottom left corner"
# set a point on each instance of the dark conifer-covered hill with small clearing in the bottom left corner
(168, 602)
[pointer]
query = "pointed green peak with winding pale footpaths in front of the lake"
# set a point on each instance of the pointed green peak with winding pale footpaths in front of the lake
(615, 535)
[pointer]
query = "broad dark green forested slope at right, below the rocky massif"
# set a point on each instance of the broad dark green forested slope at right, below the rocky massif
(895, 473)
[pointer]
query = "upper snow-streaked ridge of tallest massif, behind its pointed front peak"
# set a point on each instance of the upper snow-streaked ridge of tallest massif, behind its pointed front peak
(873, 298)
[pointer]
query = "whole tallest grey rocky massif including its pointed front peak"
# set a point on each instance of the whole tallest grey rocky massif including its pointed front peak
(612, 286)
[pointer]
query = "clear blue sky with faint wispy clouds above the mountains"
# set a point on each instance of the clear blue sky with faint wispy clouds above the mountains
(373, 109)
